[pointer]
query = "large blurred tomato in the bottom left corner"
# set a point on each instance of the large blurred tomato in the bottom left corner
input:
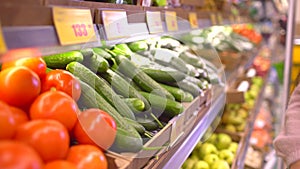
(17, 155)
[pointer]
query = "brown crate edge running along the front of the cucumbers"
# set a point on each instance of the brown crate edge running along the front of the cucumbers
(170, 136)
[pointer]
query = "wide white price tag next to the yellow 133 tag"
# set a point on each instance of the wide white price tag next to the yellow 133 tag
(115, 24)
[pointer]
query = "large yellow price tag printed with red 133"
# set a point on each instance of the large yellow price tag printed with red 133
(73, 25)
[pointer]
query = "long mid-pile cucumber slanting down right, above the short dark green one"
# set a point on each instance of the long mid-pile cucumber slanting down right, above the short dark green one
(144, 81)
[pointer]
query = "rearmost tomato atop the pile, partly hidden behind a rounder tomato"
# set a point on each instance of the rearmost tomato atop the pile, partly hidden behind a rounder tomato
(36, 64)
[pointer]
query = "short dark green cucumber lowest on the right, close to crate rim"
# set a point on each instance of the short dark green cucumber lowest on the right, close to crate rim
(170, 108)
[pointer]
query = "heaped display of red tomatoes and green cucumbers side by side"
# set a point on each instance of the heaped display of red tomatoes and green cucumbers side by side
(68, 109)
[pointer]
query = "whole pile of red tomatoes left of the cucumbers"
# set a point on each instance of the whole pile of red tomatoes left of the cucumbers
(40, 119)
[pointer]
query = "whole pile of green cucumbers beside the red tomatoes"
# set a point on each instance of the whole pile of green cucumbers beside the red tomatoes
(135, 85)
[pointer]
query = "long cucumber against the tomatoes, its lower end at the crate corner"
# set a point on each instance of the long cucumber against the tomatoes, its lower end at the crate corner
(128, 139)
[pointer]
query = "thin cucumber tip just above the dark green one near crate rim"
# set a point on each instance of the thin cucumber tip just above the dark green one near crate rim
(179, 94)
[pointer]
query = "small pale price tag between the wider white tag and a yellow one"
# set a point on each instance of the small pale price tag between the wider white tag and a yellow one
(154, 22)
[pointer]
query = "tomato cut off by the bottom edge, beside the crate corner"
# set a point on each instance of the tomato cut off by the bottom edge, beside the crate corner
(87, 156)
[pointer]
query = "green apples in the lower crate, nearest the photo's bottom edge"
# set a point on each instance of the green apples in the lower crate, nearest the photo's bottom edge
(218, 152)
